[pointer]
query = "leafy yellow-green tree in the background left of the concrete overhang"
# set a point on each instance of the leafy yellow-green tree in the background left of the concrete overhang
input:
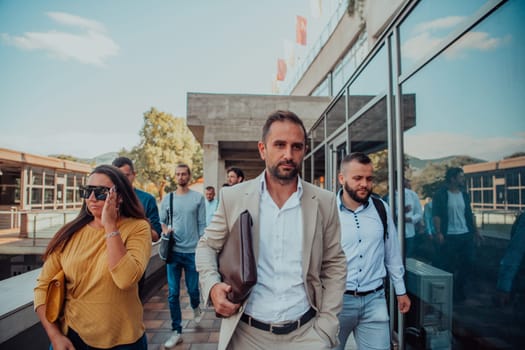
(165, 142)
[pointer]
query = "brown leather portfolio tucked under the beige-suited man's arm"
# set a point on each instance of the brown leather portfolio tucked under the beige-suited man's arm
(237, 264)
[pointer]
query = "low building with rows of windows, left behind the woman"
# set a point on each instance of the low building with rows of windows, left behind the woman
(33, 185)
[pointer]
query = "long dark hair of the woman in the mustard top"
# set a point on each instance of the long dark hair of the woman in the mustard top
(129, 208)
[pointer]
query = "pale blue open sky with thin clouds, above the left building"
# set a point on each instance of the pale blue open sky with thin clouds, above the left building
(77, 76)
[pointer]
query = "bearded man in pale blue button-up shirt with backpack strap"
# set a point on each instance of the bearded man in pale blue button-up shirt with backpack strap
(369, 255)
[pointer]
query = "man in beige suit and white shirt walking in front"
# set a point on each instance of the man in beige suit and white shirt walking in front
(301, 267)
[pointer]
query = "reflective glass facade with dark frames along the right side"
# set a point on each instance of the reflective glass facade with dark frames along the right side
(456, 100)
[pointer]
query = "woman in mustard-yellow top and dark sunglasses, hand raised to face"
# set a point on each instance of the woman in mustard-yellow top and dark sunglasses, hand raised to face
(103, 253)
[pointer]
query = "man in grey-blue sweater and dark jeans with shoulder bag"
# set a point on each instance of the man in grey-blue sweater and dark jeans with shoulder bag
(186, 221)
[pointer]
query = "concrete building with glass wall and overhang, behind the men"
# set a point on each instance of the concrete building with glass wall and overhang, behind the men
(438, 80)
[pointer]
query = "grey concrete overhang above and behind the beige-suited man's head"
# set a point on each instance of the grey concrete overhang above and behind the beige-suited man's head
(233, 122)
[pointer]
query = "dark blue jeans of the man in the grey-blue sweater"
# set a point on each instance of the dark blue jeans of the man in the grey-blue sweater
(174, 269)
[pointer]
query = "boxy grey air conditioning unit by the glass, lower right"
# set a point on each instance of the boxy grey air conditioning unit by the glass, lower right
(429, 321)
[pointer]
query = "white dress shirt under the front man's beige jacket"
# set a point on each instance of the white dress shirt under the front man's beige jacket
(279, 294)
